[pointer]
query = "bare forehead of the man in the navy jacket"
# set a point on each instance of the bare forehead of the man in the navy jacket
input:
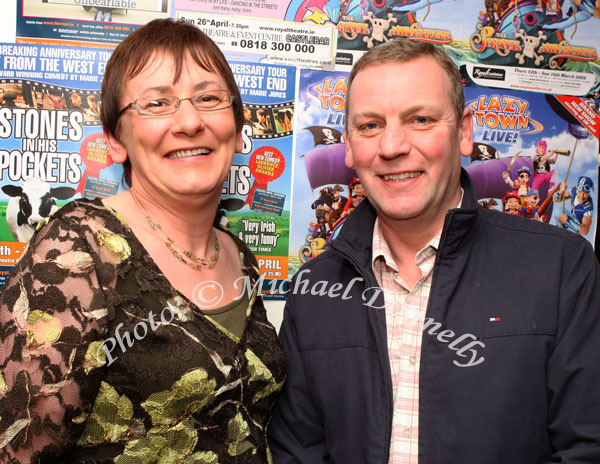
(419, 80)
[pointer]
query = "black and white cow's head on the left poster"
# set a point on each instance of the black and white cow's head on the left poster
(30, 203)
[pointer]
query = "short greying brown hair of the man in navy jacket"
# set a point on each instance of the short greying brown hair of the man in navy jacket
(403, 50)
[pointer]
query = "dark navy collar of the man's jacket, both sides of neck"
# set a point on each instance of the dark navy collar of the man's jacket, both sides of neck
(355, 239)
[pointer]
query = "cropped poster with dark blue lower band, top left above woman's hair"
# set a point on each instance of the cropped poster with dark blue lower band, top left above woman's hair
(93, 23)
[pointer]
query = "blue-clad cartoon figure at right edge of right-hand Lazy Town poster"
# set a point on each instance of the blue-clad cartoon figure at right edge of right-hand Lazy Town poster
(579, 218)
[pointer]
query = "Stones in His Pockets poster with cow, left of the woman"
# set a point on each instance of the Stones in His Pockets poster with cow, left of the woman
(52, 148)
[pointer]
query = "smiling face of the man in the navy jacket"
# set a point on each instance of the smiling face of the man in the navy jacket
(405, 145)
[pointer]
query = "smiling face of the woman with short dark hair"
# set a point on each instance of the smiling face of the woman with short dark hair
(184, 153)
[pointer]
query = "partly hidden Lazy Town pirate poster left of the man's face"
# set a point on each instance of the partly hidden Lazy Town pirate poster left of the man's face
(325, 189)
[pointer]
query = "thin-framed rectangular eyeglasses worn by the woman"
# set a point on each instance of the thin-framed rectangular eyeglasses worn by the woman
(161, 105)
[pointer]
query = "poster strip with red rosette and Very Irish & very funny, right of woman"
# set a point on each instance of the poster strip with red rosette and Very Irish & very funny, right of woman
(257, 194)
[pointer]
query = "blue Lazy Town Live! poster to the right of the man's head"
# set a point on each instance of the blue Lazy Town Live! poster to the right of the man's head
(536, 156)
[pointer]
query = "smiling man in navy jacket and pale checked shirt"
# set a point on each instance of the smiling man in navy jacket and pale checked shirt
(415, 338)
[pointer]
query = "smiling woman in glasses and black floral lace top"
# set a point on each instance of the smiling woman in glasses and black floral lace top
(107, 355)
